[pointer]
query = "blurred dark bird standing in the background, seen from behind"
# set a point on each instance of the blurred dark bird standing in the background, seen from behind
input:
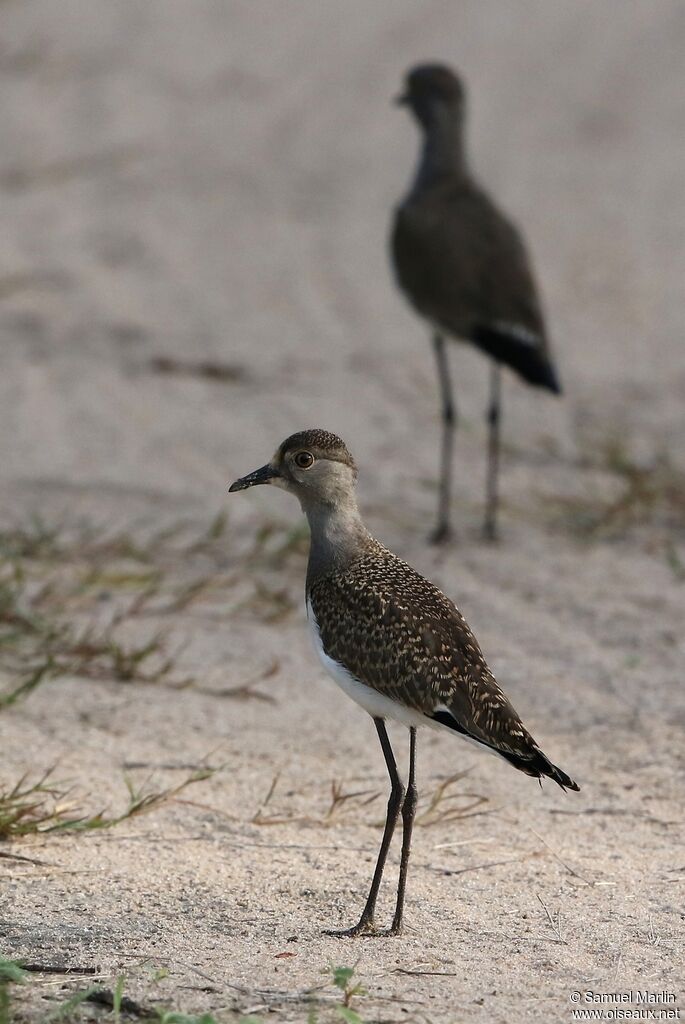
(465, 270)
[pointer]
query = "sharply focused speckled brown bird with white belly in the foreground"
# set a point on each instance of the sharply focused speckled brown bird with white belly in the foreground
(392, 642)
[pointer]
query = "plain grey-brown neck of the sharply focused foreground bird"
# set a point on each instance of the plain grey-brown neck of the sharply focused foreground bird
(338, 537)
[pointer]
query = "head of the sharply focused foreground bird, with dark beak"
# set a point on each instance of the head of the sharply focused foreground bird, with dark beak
(315, 465)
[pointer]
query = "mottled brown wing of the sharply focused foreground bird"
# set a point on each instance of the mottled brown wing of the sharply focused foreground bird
(395, 631)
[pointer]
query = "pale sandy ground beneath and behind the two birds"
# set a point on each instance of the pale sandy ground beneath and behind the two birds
(213, 182)
